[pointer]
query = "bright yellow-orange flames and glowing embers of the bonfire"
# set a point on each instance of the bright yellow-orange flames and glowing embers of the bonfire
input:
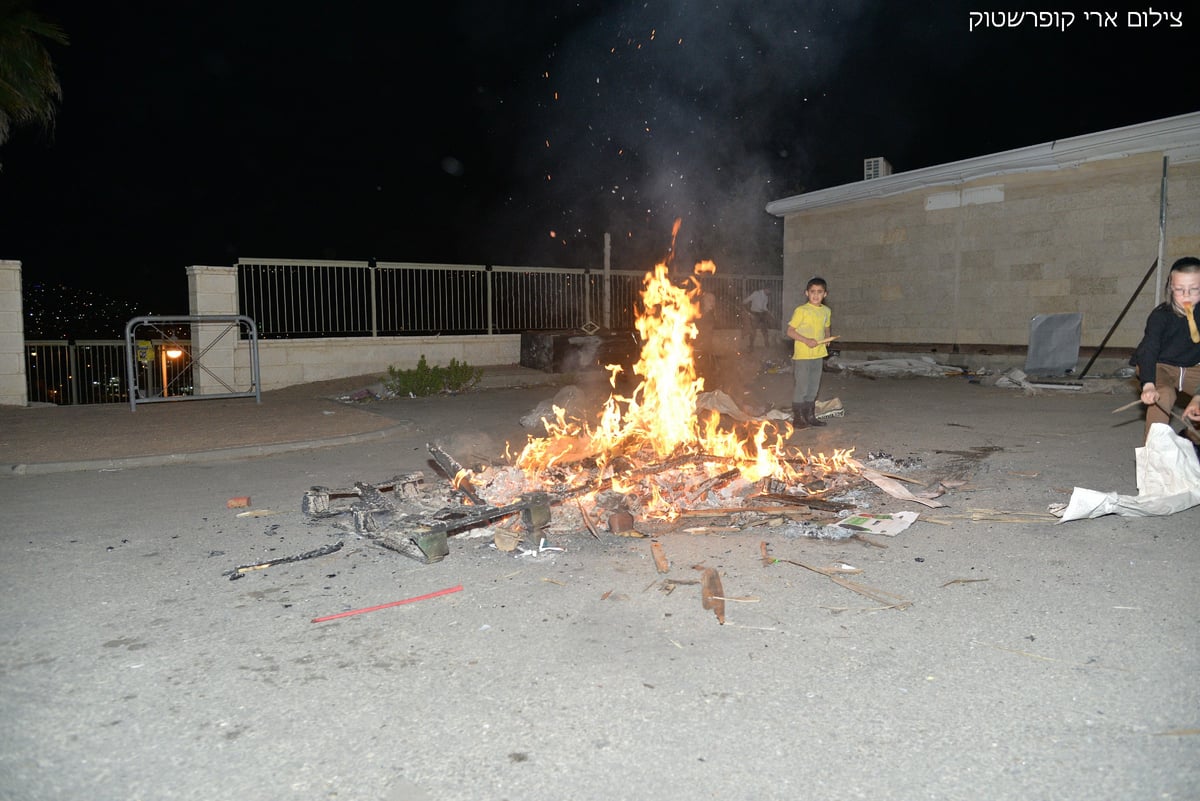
(658, 425)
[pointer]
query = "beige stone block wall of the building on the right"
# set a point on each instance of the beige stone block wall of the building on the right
(969, 263)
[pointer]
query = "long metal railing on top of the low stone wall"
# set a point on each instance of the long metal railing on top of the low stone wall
(290, 299)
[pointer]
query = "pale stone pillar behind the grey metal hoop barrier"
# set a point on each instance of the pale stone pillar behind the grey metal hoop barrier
(214, 291)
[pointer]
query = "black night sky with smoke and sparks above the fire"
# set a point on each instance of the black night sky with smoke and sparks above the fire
(491, 133)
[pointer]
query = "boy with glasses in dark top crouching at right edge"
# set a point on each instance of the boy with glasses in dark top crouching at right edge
(1168, 359)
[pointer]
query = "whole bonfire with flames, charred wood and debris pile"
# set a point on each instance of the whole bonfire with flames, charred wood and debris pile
(651, 456)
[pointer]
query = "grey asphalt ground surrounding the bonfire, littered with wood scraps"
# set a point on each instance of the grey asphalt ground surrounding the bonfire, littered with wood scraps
(1036, 660)
